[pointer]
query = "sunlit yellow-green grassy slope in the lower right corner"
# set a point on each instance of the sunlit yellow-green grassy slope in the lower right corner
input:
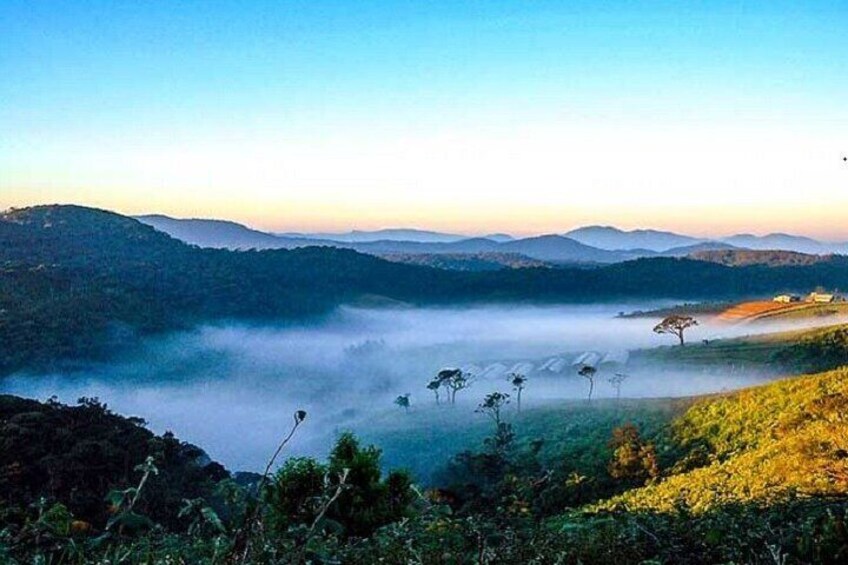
(766, 444)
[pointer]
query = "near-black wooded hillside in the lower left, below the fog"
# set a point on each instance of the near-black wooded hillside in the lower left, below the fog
(75, 455)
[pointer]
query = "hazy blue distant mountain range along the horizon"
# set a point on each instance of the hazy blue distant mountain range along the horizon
(588, 245)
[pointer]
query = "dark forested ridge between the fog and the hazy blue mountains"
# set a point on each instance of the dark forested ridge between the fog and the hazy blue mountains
(76, 281)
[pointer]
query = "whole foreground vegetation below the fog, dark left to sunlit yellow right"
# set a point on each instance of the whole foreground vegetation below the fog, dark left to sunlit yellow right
(756, 476)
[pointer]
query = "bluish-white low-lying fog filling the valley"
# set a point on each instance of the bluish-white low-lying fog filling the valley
(232, 389)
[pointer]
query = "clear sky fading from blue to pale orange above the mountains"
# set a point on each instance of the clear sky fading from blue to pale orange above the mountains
(483, 116)
